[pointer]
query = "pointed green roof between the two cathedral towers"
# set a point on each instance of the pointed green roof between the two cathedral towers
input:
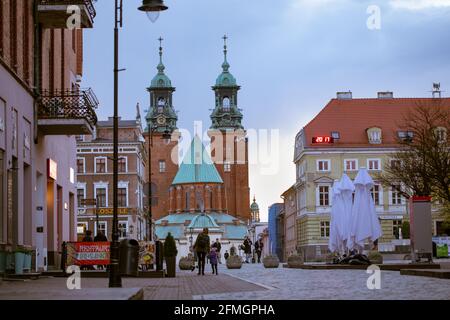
(197, 166)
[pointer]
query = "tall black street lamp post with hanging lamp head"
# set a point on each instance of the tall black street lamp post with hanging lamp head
(115, 280)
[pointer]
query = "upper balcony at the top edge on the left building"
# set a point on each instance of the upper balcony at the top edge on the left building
(56, 14)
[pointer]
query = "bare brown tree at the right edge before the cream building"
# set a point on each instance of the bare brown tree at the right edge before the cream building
(422, 163)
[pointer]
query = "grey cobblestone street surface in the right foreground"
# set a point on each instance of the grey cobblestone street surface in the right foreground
(286, 284)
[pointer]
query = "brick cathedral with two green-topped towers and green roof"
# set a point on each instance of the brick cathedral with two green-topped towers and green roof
(206, 189)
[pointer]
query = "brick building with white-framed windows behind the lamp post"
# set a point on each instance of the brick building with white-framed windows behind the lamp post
(95, 180)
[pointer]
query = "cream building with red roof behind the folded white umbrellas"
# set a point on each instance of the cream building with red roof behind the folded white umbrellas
(346, 135)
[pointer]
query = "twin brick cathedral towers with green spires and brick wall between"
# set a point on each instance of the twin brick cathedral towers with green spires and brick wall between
(229, 150)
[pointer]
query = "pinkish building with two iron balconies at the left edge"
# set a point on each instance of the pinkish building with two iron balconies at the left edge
(42, 108)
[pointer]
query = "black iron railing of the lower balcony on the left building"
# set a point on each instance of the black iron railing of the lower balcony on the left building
(69, 104)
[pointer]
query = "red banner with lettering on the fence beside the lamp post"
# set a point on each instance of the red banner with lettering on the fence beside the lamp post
(88, 253)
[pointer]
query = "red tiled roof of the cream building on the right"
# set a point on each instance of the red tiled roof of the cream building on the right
(351, 118)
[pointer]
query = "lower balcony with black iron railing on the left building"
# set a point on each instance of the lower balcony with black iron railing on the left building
(67, 112)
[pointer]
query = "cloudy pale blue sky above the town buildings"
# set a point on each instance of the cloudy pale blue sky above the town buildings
(289, 56)
